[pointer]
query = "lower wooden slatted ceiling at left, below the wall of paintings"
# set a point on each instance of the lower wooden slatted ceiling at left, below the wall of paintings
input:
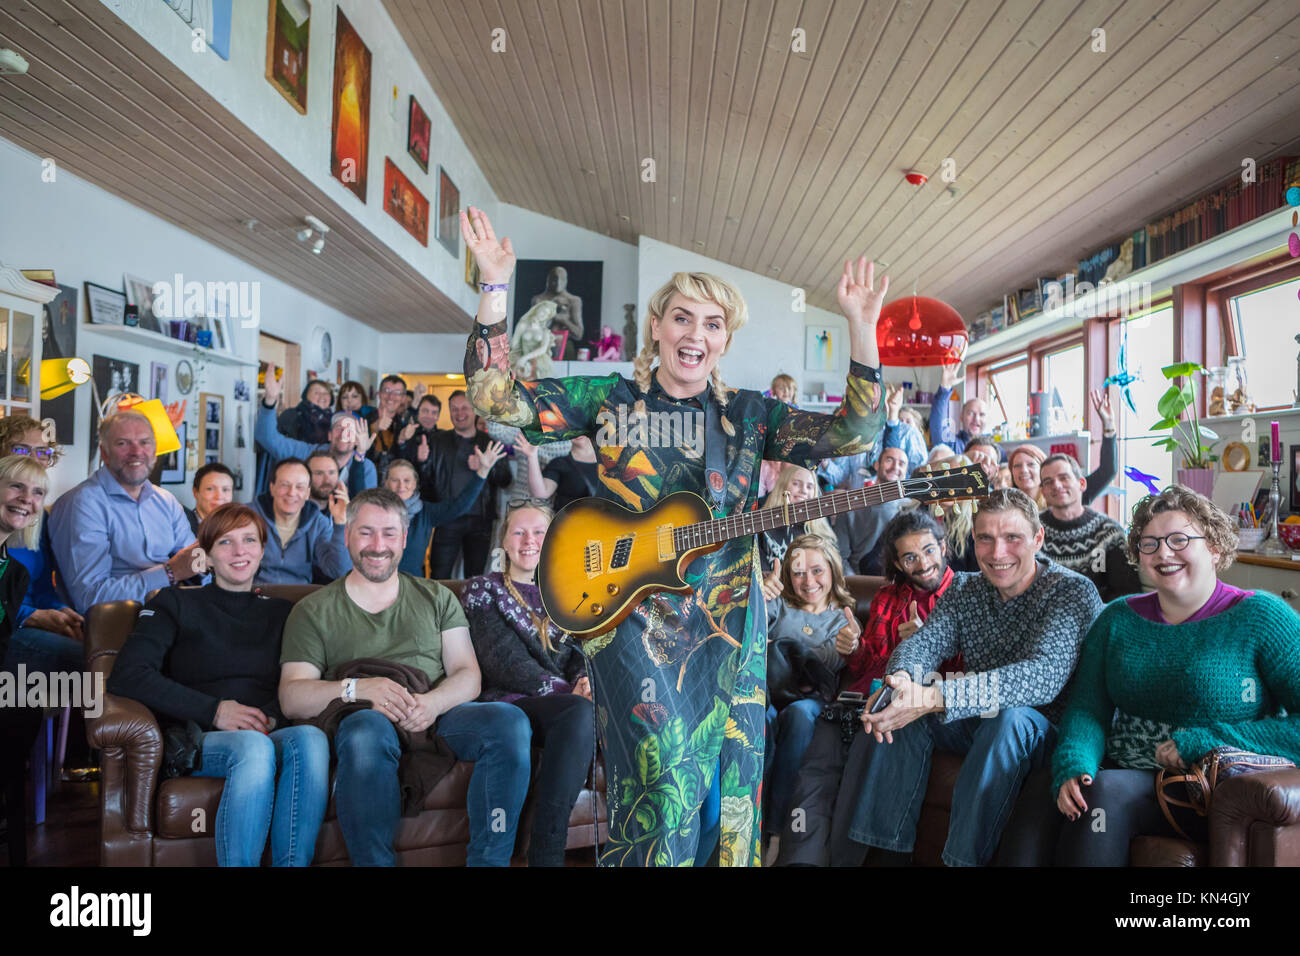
(115, 113)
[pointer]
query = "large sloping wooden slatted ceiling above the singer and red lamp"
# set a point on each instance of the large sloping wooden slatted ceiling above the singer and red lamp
(785, 163)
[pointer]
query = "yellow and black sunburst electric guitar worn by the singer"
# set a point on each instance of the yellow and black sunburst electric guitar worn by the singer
(600, 560)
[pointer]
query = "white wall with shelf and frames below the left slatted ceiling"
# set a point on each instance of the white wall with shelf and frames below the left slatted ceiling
(86, 235)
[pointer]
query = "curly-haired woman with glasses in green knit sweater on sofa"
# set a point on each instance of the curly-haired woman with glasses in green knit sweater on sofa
(1167, 677)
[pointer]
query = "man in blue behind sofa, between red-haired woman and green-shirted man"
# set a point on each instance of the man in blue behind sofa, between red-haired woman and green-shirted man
(306, 546)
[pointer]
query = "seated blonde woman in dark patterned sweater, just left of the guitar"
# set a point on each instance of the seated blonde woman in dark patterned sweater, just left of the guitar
(528, 663)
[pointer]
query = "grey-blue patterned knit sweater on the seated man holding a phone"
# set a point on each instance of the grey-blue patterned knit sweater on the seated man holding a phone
(1017, 654)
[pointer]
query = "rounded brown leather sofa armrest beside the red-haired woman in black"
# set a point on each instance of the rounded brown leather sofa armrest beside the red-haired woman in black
(132, 743)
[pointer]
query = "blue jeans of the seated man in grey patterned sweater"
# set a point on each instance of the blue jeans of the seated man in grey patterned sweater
(1000, 752)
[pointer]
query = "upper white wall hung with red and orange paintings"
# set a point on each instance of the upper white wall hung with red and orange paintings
(241, 86)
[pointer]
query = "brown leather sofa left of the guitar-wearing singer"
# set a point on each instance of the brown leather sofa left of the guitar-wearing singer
(148, 823)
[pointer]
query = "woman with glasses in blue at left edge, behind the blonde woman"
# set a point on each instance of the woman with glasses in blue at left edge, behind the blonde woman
(49, 635)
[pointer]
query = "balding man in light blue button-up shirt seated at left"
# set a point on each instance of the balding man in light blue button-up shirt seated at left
(118, 537)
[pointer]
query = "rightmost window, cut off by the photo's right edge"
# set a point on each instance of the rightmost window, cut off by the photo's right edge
(1260, 321)
